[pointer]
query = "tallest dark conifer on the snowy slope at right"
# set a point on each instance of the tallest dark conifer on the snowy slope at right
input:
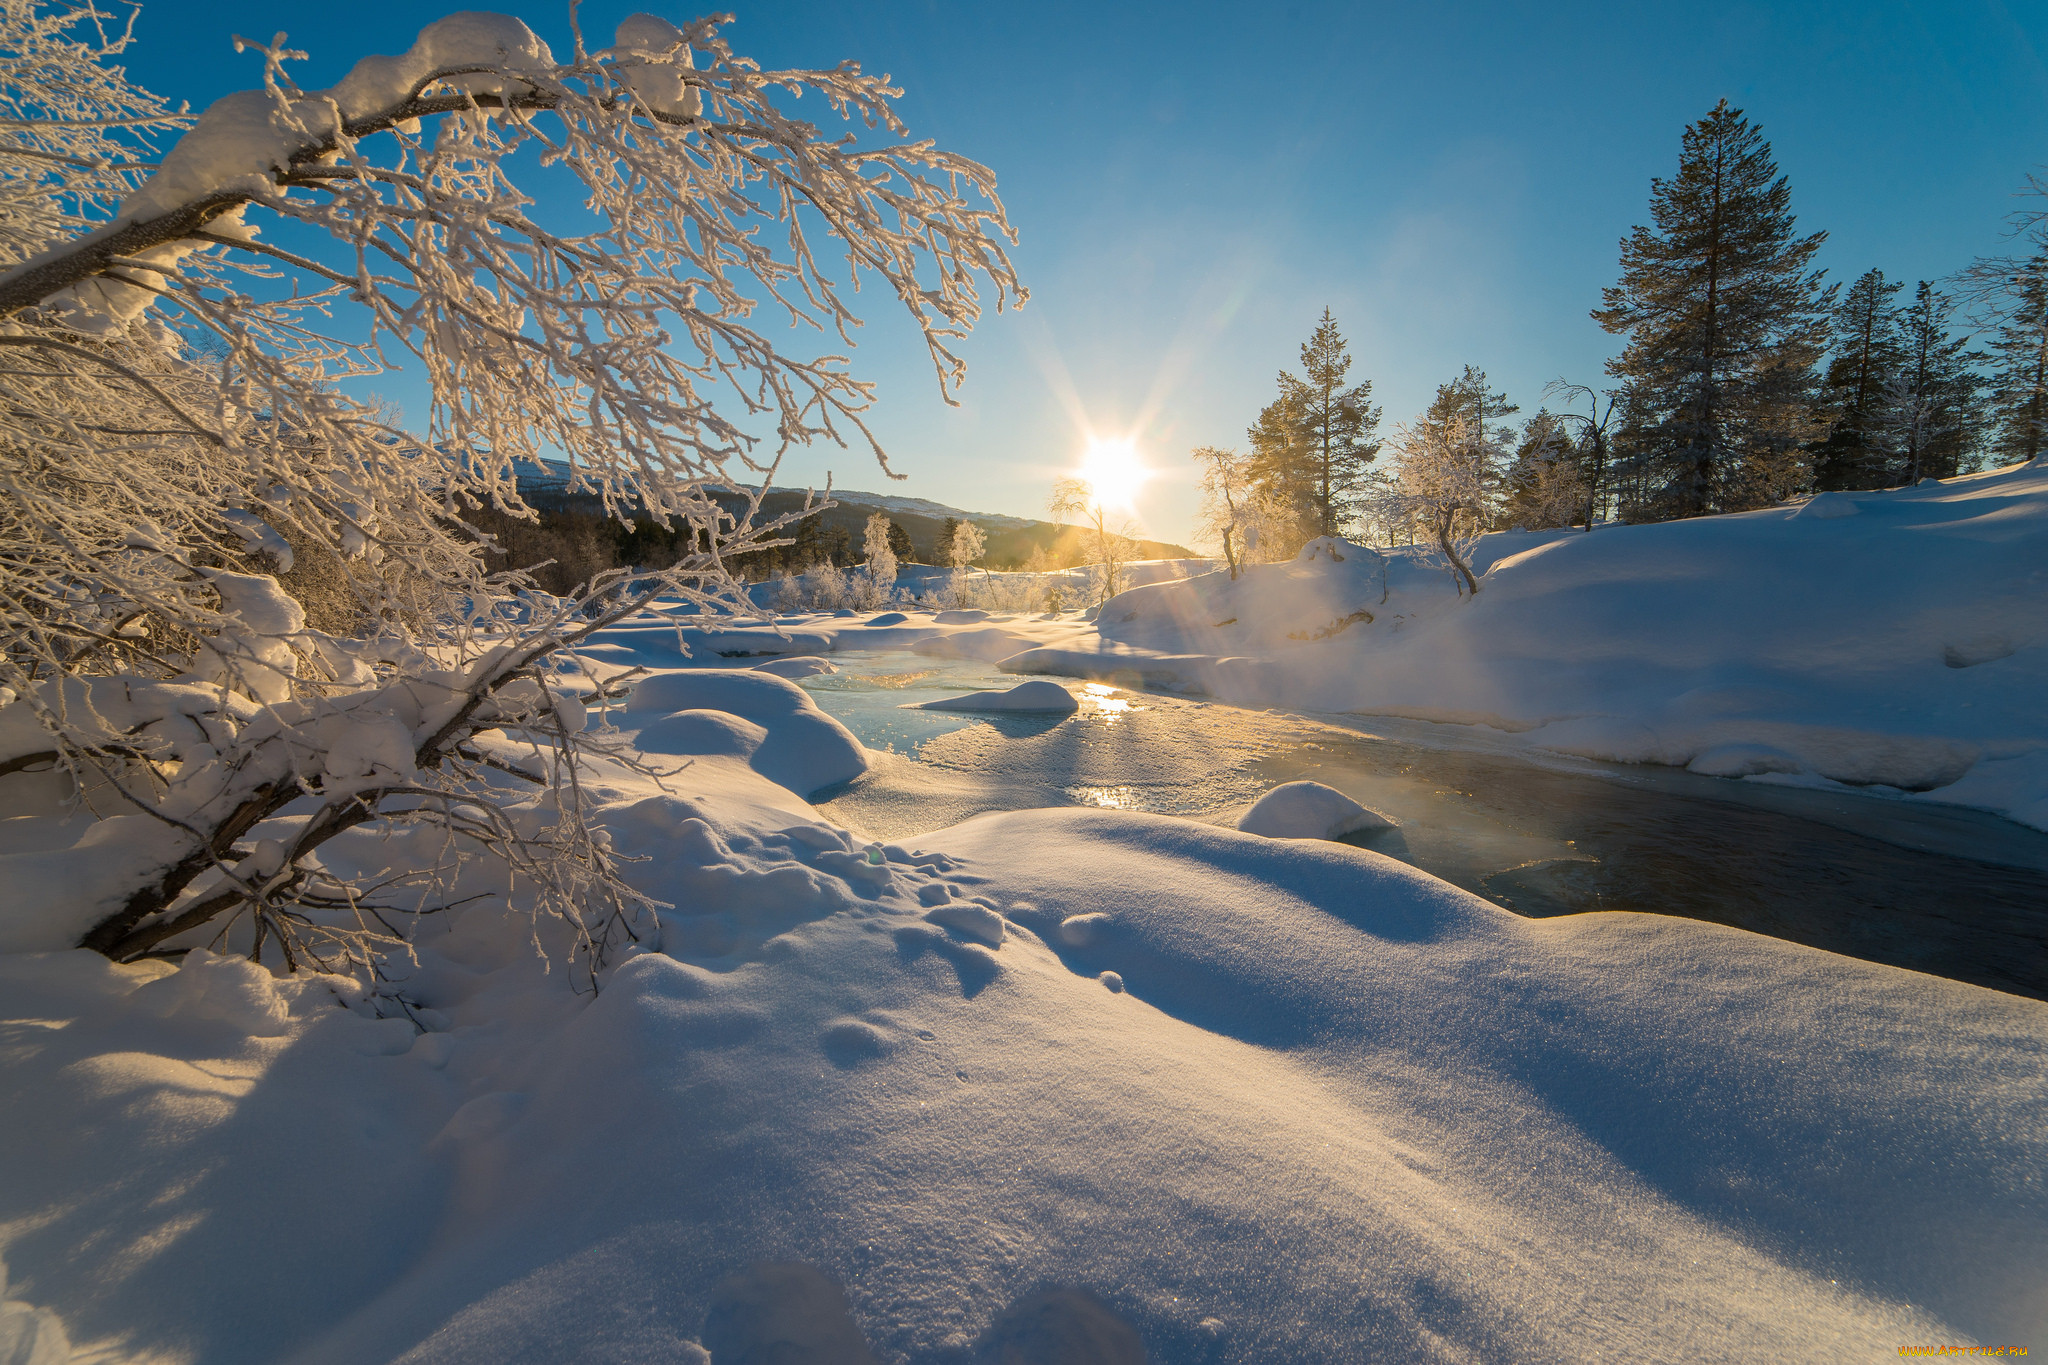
(1725, 322)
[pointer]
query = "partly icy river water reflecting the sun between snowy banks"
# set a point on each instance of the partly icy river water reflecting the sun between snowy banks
(1934, 889)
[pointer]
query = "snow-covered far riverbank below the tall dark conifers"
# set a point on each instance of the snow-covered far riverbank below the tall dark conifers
(1889, 642)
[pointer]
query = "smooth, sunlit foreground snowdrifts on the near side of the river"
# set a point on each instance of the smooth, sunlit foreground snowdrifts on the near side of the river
(1267, 1100)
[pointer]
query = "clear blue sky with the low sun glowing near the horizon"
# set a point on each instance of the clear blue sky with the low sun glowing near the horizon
(1195, 183)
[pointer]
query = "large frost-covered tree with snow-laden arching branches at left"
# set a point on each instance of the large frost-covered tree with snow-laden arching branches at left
(175, 433)
